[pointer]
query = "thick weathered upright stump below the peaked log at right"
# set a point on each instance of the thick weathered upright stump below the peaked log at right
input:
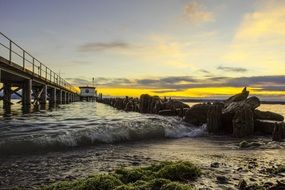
(243, 123)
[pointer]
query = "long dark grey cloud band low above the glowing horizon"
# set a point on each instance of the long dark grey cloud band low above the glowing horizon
(178, 83)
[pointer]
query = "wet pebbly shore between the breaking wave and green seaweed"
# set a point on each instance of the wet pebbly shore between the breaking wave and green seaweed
(227, 160)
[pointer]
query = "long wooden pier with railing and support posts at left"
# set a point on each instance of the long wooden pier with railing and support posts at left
(32, 81)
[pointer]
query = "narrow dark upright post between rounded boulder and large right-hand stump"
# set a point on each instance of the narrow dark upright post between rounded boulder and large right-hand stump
(214, 118)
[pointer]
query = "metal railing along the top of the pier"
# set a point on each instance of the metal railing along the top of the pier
(16, 54)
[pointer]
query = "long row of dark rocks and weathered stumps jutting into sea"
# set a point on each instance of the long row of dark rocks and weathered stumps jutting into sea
(238, 115)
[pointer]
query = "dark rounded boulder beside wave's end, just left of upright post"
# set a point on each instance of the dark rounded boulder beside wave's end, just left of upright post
(197, 114)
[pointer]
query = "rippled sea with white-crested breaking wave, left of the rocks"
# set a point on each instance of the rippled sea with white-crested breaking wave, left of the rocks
(83, 124)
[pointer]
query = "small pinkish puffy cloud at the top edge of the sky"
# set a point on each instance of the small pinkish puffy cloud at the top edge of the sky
(196, 13)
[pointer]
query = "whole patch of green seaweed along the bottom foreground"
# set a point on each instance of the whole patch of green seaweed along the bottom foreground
(162, 176)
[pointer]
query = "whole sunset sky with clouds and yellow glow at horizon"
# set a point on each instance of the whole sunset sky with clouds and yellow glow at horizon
(181, 48)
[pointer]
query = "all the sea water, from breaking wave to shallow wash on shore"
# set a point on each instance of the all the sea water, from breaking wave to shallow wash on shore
(79, 139)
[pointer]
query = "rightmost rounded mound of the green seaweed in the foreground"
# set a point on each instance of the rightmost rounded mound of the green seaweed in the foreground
(180, 171)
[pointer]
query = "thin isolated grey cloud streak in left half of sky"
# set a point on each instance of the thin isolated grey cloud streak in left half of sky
(103, 46)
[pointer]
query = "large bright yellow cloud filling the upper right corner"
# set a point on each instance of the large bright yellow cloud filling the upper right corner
(259, 40)
